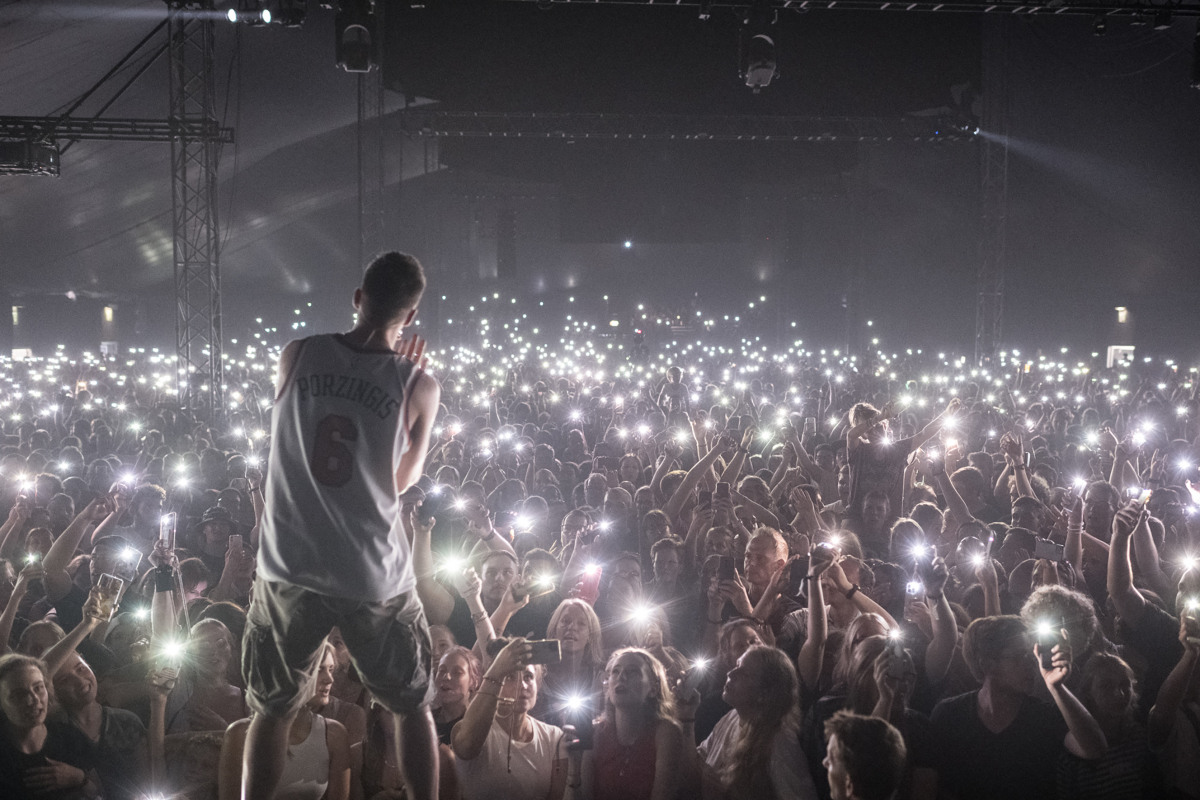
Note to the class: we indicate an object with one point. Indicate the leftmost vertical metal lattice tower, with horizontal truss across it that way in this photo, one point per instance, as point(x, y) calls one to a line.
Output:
point(199, 341)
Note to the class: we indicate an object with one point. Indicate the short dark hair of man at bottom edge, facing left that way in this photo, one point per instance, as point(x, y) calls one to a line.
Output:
point(872, 751)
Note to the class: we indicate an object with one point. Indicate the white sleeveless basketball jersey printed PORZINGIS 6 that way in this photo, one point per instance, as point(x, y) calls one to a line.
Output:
point(332, 521)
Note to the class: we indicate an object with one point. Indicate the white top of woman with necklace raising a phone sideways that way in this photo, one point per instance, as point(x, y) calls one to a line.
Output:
point(488, 777)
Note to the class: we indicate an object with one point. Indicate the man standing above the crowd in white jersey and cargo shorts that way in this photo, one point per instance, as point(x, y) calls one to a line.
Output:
point(350, 434)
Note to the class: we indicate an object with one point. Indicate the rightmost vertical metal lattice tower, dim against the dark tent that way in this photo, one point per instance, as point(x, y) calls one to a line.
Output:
point(994, 190)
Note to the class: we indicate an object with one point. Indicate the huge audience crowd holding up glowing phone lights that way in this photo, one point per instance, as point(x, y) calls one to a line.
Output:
point(677, 572)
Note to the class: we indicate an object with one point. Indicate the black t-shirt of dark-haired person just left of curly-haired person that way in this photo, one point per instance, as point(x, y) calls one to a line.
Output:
point(1018, 762)
